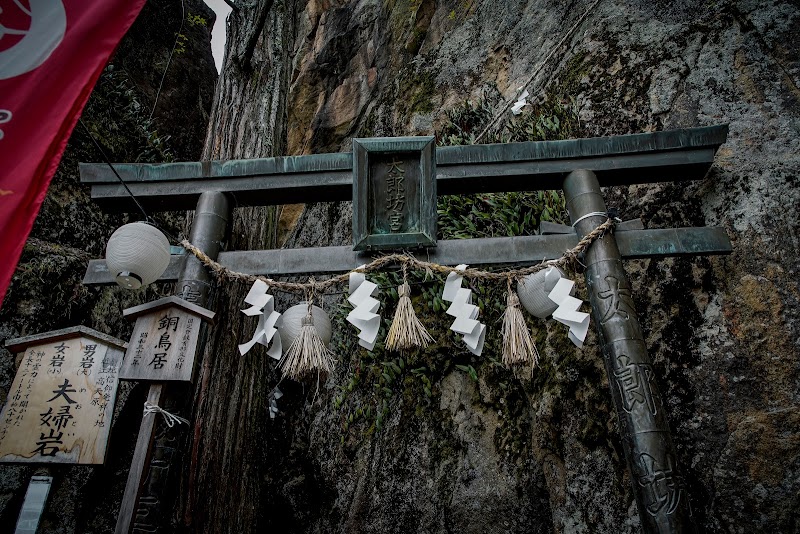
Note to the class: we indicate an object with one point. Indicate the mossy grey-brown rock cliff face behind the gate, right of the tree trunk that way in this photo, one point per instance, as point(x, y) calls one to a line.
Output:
point(497, 454)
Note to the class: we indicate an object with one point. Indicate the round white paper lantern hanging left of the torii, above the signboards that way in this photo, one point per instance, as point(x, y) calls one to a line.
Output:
point(137, 254)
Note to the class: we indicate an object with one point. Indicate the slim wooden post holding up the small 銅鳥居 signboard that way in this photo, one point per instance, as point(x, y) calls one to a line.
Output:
point(141, 458)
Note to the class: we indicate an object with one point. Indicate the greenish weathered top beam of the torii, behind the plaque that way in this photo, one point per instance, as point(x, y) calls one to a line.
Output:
point(620, 160)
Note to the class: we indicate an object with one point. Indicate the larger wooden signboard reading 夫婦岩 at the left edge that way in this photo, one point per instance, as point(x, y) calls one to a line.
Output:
point(61, 402)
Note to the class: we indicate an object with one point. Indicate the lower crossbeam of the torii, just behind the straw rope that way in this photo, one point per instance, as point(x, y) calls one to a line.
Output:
point(518, 251)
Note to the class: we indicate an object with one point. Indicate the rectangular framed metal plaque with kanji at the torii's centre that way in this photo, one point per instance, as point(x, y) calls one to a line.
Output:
point(394, 193)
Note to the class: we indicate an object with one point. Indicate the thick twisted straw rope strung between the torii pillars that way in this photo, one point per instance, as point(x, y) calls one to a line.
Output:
point(569, 257)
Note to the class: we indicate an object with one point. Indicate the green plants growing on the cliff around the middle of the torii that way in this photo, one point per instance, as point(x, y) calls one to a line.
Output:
point(378, 382)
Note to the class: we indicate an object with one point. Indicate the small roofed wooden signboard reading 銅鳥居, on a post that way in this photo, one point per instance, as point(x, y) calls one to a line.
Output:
point(164, 340)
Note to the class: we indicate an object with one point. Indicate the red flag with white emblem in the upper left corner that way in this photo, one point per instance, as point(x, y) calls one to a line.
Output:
point(51, 54)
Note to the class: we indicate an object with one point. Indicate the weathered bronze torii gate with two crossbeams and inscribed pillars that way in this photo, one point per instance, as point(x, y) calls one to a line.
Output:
point(578, 166)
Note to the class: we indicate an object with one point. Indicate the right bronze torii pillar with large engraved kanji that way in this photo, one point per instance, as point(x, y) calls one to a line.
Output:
point(658, 487)
